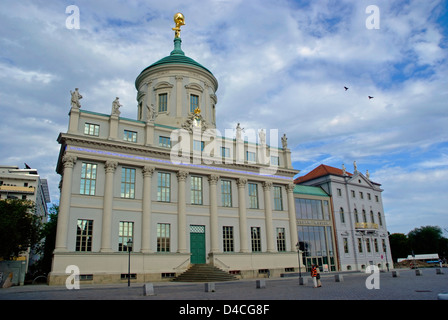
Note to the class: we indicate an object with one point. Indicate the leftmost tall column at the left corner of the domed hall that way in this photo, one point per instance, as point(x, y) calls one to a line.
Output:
point(64, 204)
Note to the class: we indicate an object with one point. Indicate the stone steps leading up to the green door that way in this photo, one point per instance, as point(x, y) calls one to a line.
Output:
point(204, 273)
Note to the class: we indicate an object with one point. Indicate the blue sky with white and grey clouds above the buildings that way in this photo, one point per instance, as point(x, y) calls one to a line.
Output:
point(280, 65)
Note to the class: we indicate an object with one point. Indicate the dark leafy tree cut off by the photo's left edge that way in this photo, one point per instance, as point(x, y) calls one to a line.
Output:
point(20, 228)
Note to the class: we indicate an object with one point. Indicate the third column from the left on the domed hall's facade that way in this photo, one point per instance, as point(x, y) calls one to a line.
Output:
point(146, 208)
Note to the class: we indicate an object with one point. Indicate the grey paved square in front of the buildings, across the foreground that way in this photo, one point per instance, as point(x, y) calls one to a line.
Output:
point(408, 286)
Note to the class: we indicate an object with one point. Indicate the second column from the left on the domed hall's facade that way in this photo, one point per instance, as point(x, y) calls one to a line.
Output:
point(110, 168)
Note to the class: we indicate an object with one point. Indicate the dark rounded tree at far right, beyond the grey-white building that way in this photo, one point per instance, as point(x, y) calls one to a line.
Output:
point(426, 239)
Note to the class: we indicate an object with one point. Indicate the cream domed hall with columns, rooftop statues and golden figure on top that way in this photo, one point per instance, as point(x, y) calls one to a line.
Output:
point(168, 188)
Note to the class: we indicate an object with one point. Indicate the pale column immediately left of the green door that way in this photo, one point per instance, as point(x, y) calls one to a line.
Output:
point(182, 215)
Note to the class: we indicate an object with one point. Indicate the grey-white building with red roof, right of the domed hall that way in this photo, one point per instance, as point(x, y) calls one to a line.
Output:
point(360, 225)
